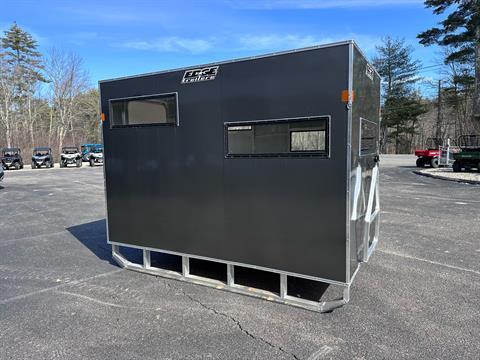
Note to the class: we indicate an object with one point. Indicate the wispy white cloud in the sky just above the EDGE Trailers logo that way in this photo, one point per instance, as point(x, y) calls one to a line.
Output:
point(171, 44)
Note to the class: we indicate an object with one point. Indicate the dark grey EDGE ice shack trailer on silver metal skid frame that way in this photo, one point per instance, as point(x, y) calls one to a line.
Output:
point(267, 163)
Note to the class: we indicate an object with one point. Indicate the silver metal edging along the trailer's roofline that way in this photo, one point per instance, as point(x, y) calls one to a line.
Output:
point(309, 48)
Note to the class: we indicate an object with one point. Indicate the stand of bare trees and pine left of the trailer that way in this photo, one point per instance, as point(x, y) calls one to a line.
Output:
point(45, 99)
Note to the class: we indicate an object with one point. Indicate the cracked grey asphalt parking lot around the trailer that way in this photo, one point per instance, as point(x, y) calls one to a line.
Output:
point(62, 297)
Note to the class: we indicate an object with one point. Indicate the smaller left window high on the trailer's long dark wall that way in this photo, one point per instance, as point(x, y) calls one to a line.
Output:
point(143, 111)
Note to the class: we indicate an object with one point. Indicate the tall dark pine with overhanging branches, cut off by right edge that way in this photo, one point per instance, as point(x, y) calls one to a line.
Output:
point(459, 30)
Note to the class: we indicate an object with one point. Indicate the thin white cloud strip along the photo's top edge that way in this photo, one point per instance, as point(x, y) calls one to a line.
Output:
point(318, 4)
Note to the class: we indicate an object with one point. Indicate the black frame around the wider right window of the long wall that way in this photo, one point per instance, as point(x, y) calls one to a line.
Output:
point(295, 154)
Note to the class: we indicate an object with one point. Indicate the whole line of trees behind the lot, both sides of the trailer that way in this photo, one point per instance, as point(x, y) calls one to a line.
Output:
point(47, 99)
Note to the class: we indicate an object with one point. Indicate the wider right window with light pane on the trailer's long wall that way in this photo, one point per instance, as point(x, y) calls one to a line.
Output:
point(289, 137)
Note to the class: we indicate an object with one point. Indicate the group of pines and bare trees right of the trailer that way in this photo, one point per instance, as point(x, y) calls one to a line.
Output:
point(408, 118)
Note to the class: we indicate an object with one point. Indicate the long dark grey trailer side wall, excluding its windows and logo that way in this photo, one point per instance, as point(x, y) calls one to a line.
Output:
point(173, 187)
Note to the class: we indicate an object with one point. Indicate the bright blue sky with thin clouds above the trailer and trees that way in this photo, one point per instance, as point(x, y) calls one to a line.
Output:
point(118, 38)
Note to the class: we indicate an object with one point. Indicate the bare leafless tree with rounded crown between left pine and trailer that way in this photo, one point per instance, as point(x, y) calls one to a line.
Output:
point(68, 81)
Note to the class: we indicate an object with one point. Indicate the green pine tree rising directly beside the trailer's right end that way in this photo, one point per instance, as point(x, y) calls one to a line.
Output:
point(402, 106)
